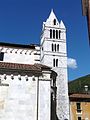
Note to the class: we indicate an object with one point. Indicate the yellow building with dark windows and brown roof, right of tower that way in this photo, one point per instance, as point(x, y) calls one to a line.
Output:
point(80, 106)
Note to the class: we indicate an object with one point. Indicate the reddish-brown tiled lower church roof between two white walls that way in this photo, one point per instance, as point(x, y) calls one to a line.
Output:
point(17, 66)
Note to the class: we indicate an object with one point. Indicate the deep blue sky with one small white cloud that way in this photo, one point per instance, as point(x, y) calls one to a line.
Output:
point(21, 23)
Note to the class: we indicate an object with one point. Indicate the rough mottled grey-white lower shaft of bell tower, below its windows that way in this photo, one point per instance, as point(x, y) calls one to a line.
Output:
point(62, 94)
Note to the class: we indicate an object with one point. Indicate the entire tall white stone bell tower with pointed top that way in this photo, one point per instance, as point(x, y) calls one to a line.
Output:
point(54, 54)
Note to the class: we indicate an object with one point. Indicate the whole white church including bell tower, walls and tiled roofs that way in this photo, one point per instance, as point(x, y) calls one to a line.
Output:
point(33, 78)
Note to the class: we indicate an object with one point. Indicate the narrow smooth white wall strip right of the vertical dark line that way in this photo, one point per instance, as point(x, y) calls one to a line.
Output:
point(44, 100)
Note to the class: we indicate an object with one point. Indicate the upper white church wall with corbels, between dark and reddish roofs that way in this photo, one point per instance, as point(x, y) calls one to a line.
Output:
point(21, 55)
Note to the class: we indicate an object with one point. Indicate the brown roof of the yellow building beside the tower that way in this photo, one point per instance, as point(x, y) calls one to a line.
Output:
point(81, 97)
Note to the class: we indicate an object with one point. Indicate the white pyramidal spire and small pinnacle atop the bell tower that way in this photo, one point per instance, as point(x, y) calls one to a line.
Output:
point(50, 21)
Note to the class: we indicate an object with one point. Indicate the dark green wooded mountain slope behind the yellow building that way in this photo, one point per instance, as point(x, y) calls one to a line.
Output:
point(77, 85)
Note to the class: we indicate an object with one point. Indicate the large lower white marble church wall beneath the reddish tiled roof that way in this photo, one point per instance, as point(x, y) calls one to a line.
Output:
point(25, 99)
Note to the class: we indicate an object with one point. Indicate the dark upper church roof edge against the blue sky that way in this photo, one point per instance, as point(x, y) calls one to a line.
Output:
point(31, 46)
